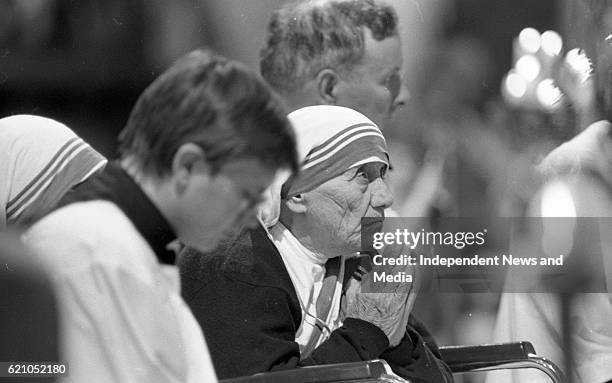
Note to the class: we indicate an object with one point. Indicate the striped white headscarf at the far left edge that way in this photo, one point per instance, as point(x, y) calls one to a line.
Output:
point(40, 160)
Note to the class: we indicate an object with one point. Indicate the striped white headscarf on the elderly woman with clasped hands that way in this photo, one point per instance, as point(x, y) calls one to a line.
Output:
point(330, 140)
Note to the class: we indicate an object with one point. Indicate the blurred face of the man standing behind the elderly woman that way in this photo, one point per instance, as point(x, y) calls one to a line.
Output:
point(375, 86)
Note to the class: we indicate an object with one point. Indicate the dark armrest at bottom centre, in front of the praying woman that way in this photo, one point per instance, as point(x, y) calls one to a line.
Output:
point(361, 372)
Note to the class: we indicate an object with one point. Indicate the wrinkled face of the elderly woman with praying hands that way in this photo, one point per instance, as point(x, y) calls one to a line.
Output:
point(334, 209)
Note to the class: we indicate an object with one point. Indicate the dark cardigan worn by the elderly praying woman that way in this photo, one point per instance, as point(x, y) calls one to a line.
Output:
point(243, 297)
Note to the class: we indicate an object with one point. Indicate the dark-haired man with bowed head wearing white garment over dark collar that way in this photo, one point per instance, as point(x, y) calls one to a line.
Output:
point(201, 144)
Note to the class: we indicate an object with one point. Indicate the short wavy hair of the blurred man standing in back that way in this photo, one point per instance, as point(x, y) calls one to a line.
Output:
point(304, 38)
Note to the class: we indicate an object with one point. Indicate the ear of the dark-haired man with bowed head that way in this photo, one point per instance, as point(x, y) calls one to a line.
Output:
point(188, 160)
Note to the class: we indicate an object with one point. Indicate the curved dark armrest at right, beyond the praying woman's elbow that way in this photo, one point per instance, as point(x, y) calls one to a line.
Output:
point(498, 356)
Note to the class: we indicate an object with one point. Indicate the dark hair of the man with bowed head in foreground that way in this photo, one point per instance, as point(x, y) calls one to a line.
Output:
point(215, 103)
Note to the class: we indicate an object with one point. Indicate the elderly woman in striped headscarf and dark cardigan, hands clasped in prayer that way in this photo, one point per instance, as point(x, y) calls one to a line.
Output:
point(286, 296)
